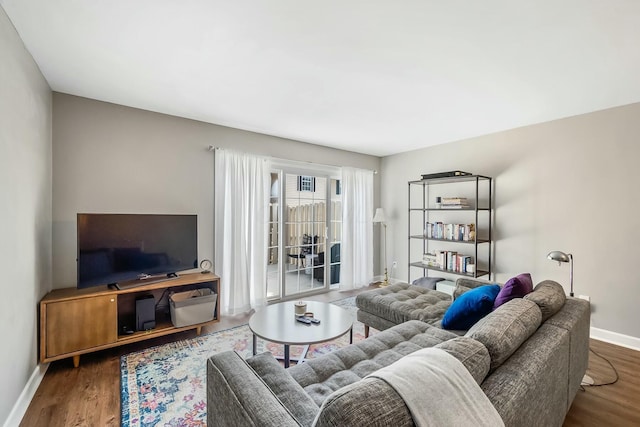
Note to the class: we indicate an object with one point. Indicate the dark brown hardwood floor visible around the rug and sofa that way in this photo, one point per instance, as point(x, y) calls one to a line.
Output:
point(90, 394)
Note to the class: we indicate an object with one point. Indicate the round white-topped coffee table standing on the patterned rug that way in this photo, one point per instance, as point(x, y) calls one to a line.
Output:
point(277, 323)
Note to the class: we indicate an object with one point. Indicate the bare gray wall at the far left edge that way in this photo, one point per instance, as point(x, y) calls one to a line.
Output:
point(25, 210)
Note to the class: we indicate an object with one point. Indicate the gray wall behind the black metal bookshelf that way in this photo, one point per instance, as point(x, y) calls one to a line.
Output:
point(569, 185)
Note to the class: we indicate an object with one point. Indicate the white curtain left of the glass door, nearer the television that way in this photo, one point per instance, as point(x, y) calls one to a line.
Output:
point(242, 188)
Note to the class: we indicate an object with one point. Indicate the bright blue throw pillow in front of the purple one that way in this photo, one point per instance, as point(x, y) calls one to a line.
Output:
point(470, 307)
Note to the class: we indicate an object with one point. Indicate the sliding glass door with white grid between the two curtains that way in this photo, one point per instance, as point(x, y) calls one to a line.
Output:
point(305, 230)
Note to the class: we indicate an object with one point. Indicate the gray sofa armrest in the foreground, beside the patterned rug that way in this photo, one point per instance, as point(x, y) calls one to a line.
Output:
point(237, 396)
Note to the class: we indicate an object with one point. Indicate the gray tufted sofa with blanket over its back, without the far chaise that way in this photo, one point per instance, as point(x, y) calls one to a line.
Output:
point(528, 357)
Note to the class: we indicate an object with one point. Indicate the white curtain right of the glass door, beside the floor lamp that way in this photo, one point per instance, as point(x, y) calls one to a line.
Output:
point(356, 254)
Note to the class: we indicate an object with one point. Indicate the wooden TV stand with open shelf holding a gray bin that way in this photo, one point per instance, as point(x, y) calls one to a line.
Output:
point(103, 311)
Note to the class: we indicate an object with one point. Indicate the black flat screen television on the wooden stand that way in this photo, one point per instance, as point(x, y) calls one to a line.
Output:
point(124, 250)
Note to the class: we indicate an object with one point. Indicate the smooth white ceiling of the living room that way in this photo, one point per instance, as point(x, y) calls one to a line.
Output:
point(371, 76)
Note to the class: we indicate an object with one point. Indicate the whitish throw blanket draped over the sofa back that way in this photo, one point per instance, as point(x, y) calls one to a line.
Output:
point(439, 391)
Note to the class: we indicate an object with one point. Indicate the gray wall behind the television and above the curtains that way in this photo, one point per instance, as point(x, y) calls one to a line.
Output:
point(111, 158)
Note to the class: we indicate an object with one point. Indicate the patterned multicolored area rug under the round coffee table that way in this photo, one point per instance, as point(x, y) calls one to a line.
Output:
point(166, 385)
